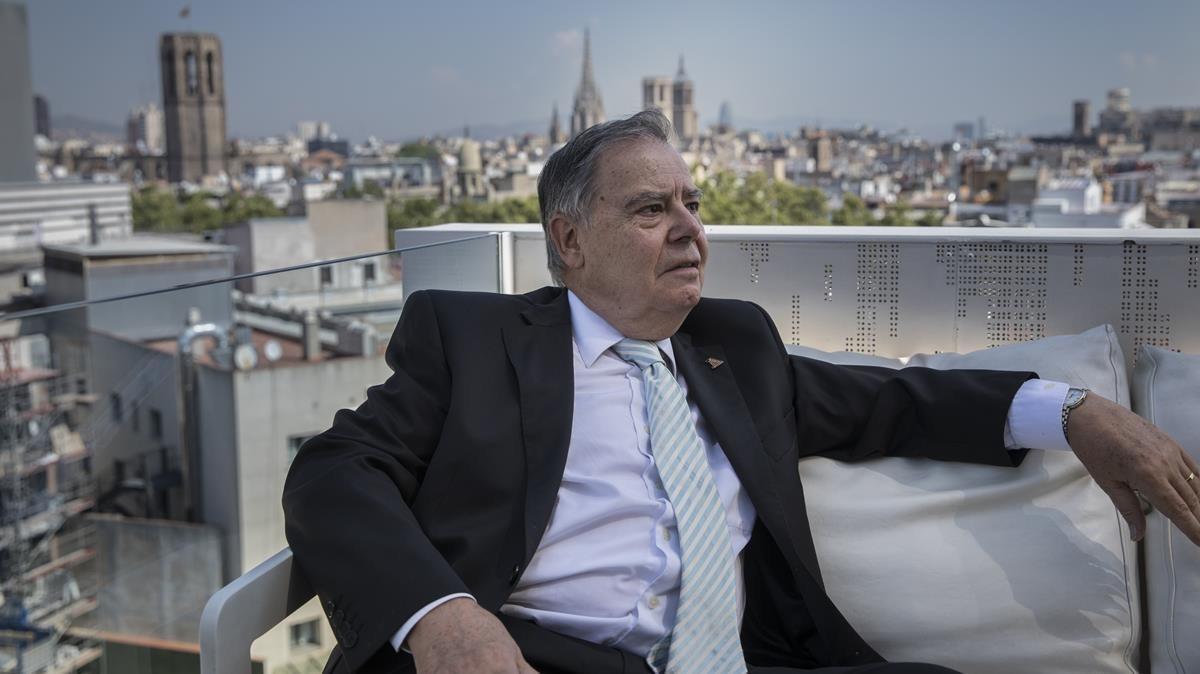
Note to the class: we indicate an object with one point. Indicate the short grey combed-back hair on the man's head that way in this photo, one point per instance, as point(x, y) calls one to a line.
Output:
point(568, 180)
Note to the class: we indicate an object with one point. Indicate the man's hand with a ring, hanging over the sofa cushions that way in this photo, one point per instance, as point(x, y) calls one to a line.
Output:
point(1125, 453)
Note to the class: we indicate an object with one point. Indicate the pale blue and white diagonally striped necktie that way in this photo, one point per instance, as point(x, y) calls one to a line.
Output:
point(705, 637)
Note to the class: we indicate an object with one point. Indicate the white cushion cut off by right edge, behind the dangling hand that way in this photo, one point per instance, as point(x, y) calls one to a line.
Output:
point(1167, 392)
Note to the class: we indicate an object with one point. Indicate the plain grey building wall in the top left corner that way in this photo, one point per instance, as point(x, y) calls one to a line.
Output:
point(17, 158)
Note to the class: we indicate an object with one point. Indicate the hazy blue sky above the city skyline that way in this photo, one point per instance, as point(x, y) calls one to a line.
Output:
point(401, 69)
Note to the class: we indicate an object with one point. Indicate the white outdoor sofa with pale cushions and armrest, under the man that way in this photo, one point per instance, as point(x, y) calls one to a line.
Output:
point(982, 569)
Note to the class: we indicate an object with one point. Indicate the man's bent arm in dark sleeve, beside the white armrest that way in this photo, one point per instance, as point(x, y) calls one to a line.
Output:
point(349, 492)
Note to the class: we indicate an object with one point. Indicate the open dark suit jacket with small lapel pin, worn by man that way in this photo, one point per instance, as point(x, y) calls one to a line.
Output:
point(443, 482)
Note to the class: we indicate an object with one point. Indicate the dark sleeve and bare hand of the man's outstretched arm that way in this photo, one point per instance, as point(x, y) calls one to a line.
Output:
point(961, 416)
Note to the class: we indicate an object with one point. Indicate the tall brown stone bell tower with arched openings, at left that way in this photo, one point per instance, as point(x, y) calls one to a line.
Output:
point(194, 105)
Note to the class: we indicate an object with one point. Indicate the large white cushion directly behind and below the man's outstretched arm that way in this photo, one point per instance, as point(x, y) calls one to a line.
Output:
point(985, 569)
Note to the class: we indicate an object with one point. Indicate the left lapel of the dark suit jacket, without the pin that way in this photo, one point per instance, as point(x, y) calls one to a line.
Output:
point(541, 353)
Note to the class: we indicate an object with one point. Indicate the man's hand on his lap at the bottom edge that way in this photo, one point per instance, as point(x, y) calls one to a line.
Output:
point(459, 636)
